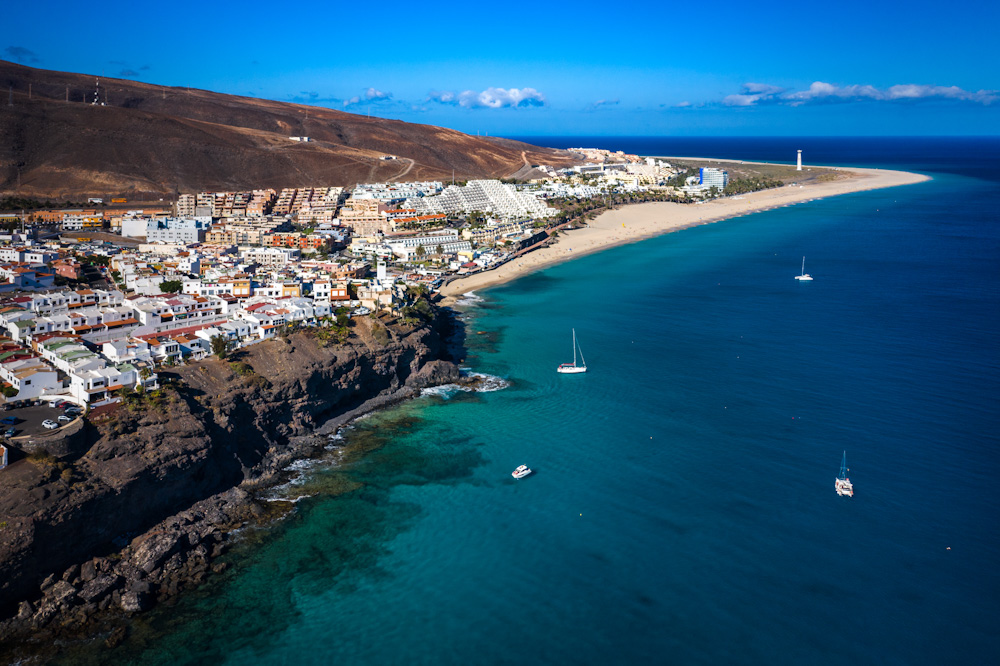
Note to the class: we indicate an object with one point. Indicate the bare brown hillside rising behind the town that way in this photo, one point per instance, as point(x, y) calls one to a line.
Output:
point(154, 140)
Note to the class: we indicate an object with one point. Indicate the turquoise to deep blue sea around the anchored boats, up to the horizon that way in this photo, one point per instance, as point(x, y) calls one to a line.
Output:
point(683, 508)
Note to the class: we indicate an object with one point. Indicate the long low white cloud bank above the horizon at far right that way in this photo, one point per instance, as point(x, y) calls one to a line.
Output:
point(821, 92)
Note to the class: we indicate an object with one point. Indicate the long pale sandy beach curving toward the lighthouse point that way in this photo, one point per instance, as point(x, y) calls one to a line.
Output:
point(639, 221)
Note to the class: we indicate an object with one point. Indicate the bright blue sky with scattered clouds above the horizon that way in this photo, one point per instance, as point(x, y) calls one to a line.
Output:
point(557, 68)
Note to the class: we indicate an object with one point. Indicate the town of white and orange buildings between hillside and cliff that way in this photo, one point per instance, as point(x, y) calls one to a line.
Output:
point(96, 300)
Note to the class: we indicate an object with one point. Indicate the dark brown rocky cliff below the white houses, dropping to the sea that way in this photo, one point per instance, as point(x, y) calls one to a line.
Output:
point(148, 496)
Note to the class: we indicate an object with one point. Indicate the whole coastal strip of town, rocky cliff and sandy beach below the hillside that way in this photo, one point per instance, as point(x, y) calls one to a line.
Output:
point(213, 341)
